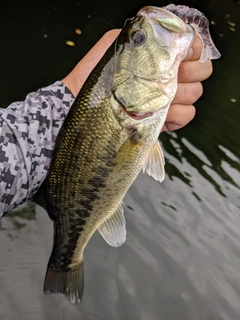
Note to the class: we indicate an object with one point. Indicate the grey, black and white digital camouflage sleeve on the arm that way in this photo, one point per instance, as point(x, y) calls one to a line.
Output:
point(28, 131)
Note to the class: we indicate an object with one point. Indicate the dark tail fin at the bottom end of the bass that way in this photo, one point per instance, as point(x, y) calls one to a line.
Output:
point(70, 283)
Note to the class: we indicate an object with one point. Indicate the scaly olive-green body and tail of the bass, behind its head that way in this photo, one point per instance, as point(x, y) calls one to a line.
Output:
point(89, 148)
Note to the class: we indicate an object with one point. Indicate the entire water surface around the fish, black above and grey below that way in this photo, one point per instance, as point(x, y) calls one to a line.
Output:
point(181, 259)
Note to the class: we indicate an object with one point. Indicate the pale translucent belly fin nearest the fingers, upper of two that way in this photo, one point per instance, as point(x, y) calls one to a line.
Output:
point(154, 165)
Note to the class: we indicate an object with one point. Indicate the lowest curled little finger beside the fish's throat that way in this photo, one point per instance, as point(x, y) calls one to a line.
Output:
point(178, 116)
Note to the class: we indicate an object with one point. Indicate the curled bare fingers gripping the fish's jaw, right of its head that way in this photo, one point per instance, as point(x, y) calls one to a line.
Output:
point(191, 73)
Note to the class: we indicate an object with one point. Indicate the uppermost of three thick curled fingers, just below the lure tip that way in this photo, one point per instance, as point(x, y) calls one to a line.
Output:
point(194, 71)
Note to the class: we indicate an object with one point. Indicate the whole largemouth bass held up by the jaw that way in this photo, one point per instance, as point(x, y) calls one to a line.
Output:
point(110, 134)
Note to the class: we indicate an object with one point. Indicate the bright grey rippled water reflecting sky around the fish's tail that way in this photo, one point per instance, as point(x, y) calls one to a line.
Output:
point(181, 259)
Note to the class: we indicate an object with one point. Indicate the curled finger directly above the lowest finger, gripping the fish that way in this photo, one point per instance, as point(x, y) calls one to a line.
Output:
point(188, 93)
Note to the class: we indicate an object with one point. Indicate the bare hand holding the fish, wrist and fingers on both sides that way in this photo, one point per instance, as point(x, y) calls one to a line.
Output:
point(191, 73)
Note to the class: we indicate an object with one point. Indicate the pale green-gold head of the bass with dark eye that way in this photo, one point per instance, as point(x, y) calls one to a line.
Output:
point(148, 53)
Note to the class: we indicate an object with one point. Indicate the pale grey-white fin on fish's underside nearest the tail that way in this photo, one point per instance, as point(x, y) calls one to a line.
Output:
point(113, 230)
